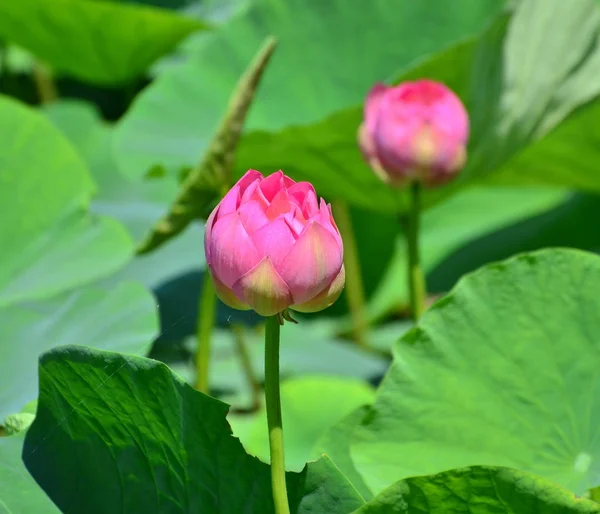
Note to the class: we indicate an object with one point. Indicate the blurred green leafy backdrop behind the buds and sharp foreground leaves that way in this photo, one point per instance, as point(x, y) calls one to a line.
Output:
point(104, 104)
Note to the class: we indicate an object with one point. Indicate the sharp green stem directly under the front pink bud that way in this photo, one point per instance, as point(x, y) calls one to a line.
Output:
point(273, 402)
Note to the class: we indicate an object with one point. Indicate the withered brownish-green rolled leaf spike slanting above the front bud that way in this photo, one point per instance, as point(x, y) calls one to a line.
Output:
point(206, 182)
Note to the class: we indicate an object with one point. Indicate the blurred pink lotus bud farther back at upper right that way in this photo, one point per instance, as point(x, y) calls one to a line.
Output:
point(414, 131)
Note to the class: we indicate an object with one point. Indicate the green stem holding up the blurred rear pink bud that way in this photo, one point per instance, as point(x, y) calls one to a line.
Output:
point(416, 279)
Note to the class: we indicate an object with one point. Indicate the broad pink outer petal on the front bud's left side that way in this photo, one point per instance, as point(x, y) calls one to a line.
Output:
point(232, 252)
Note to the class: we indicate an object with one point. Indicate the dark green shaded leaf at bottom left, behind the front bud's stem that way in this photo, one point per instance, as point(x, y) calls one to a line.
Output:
point(123, 434)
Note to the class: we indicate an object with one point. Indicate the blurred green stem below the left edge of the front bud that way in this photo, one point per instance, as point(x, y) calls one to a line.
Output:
point(206, 319)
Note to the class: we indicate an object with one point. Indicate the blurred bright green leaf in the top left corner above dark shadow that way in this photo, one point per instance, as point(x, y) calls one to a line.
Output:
point(97, 41)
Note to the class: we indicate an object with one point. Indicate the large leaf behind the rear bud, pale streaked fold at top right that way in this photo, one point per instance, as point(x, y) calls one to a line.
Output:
point(514, 98)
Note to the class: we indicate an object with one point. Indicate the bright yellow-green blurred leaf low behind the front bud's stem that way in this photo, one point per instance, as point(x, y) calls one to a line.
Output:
point(310, 406)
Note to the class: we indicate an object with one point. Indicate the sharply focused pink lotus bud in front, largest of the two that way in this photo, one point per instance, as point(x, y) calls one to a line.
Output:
point(270, 244)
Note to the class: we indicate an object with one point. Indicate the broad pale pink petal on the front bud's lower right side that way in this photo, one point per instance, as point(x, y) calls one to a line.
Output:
point(312, 263)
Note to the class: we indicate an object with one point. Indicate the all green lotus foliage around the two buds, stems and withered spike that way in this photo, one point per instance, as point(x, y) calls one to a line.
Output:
point(489, 405)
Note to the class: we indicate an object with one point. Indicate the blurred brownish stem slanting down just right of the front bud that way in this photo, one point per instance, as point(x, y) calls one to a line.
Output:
point(355, 292)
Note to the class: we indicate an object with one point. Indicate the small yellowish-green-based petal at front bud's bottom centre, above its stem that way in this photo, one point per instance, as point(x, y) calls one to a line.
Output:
point(263, 289)
